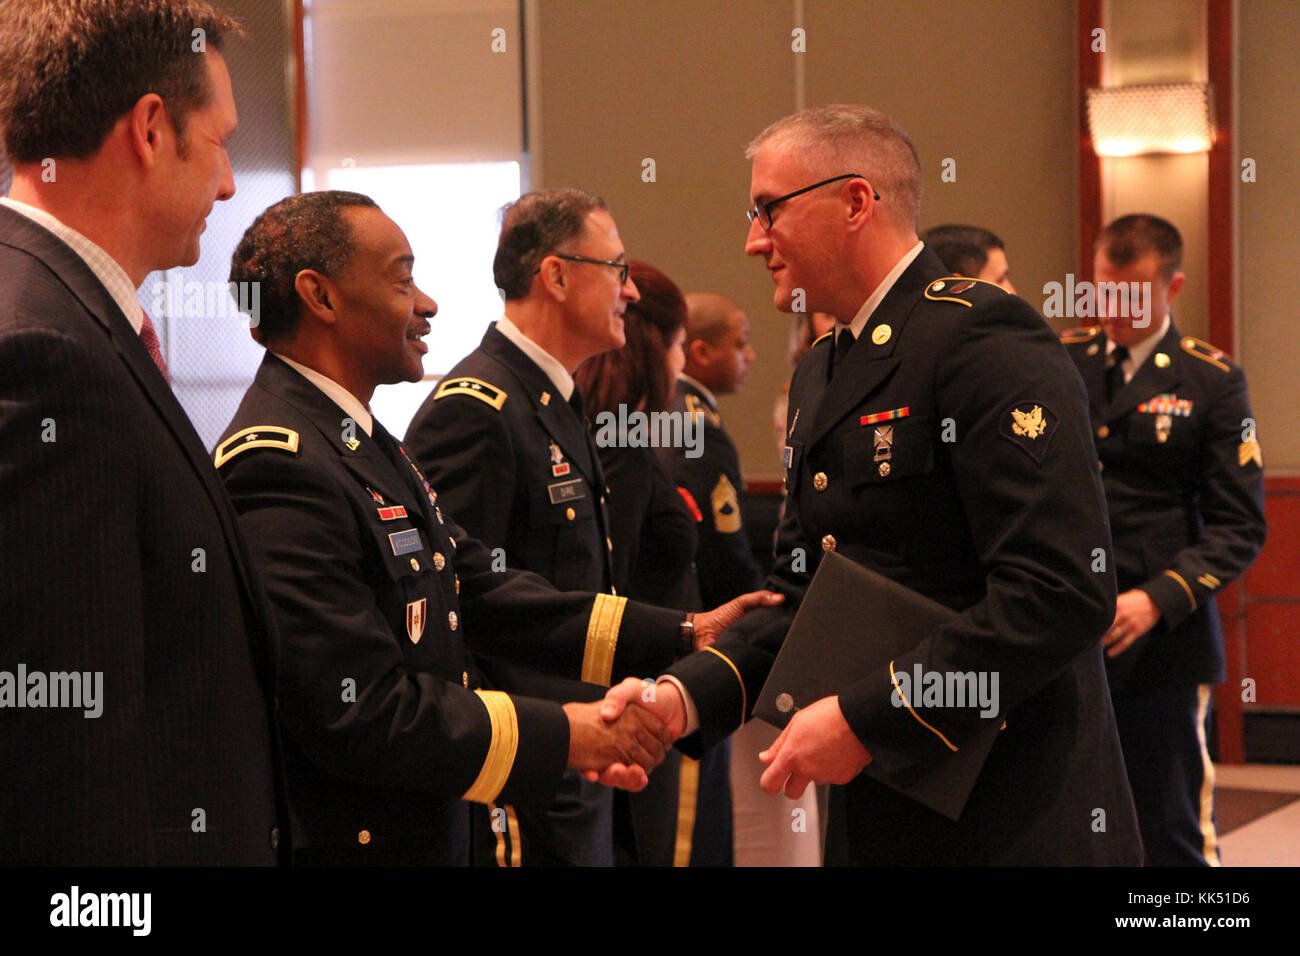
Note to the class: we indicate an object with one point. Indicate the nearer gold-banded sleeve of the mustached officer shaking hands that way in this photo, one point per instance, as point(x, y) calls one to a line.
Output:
point(346, 697)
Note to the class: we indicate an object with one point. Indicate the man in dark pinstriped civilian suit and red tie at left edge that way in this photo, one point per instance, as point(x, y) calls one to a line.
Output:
point(122, 553)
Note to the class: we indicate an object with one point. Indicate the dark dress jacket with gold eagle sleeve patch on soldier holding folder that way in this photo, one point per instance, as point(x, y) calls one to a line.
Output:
point(951, 453)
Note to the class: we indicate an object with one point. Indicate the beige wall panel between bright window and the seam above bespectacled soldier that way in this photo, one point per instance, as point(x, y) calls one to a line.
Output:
point(687, 85)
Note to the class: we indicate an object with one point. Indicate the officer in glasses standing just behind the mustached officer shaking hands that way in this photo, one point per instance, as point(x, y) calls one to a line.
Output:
point(505, 442)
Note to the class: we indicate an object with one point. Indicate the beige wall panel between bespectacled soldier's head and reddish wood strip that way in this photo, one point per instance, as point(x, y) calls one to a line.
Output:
point(990, 86)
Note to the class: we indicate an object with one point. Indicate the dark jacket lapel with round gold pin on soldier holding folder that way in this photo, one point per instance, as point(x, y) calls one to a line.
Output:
point(872, 360)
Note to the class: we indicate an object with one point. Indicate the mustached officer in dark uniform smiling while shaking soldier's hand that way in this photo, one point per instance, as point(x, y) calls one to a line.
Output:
point(380, 596)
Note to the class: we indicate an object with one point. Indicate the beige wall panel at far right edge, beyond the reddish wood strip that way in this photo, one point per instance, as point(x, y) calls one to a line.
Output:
point(1268, 132)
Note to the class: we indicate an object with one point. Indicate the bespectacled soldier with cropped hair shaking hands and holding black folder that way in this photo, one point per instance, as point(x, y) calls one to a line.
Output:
point(941, 439)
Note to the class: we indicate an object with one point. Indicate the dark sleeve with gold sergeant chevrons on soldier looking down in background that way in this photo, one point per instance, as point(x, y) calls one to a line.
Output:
point(1230, 491)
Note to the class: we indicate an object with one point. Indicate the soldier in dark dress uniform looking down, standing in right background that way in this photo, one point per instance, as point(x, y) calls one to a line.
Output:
point(1185, 485)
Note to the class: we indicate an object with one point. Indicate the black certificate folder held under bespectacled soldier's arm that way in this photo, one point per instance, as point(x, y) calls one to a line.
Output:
point(853, 622)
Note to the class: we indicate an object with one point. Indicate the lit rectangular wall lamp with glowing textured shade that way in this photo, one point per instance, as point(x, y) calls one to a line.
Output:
point(1156, 118)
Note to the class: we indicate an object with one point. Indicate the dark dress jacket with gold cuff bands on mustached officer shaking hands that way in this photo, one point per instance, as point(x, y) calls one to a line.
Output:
point(380, 599)
